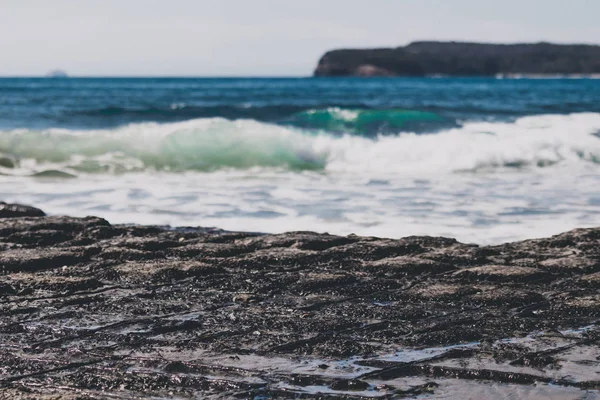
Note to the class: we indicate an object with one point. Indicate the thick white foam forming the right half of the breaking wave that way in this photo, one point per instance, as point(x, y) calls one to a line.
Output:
point(528, 142)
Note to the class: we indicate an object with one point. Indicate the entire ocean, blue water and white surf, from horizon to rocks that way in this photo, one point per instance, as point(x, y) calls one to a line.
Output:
point(482, 160)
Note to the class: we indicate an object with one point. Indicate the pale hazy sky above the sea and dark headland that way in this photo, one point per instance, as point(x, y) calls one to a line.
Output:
point(259, 37)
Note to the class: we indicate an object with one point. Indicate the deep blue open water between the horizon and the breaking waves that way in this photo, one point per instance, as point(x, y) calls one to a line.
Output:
point(108, 102)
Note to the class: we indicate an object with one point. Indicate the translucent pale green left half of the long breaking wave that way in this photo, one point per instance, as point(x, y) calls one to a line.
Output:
point(200, 145)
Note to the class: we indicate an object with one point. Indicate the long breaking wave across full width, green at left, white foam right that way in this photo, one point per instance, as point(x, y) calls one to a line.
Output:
point(215, 143)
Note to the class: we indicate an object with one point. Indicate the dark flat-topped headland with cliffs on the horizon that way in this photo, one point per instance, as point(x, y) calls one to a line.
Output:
point(462, 59)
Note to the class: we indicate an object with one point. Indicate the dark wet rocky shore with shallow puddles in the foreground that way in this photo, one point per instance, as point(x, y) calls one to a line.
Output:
point(91, 310)
